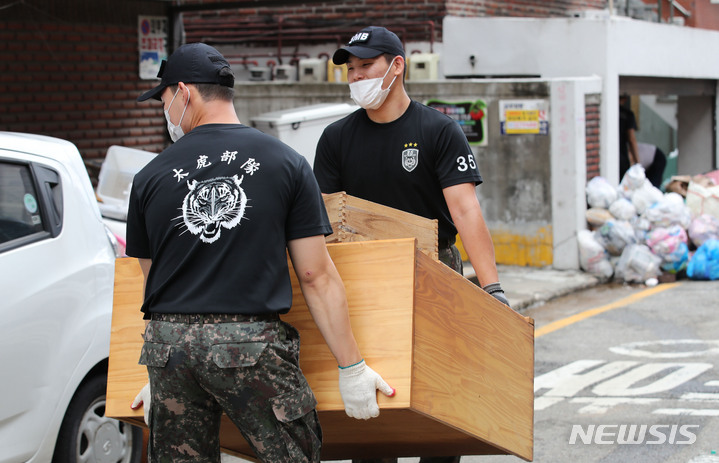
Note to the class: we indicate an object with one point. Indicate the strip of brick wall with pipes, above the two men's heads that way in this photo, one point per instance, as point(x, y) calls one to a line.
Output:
point(320, 22)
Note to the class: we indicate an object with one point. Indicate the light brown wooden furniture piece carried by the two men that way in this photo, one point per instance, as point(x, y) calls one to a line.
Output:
point(462, 363)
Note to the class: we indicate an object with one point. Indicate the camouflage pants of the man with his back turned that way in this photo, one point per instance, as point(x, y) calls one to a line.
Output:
point(247, 367)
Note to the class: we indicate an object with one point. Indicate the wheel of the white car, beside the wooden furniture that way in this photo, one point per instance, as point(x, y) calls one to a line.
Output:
point(87, 435)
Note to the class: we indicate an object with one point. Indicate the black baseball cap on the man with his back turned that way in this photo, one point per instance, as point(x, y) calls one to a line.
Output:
point(192, 63)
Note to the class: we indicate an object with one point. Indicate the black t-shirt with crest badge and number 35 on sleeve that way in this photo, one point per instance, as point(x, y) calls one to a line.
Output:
point(403, 164)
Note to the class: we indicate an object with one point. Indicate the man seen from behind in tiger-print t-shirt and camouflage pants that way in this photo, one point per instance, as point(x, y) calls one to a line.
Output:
point(211, 219)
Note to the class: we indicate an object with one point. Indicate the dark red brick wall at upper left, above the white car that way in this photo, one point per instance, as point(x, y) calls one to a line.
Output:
point(69, 69)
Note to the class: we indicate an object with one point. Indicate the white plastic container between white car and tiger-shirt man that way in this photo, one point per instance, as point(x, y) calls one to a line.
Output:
point(115, 179)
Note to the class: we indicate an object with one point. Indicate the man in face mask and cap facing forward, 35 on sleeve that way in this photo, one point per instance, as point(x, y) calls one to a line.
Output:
point(400, 153)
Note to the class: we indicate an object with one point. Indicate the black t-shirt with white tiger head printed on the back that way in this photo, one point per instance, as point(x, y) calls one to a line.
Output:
point(214, 212)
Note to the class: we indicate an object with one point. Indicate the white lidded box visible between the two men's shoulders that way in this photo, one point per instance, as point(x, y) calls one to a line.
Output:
point(302, 127)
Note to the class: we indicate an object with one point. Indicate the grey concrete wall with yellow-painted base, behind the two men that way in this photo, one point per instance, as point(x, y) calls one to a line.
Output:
point(533, 191)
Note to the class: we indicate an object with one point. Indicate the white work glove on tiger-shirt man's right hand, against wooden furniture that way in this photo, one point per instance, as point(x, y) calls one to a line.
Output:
point(358, 387)
